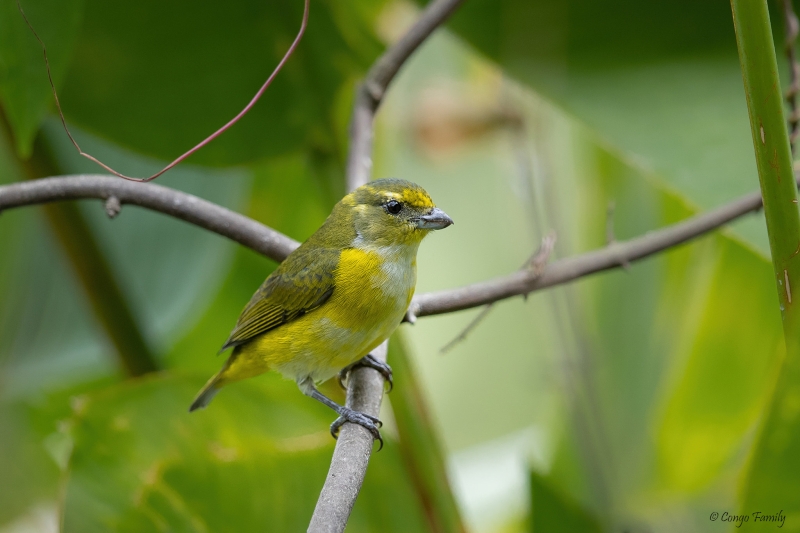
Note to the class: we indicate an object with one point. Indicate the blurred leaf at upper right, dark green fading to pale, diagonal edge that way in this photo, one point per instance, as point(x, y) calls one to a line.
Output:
point(659, 81)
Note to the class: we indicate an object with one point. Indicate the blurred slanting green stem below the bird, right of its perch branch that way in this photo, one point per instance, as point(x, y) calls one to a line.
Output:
point(419, 446)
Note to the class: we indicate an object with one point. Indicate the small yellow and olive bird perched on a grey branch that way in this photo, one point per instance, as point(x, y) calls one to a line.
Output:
point(336, 297)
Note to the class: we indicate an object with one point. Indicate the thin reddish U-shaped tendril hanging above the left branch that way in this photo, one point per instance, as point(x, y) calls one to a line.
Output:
point(200, 145)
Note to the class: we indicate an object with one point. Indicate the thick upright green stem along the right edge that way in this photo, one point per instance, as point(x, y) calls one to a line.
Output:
point(773, 480)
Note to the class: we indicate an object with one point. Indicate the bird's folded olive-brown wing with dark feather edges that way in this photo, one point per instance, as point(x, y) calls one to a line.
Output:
point(300, 284)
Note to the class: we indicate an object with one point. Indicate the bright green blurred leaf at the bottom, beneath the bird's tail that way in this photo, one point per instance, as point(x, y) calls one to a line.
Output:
point(254, 460)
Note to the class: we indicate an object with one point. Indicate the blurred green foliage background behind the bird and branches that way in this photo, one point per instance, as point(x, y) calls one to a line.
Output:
point(628, 401)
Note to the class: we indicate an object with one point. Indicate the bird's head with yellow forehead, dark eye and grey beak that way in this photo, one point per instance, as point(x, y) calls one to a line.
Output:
point(391, 211)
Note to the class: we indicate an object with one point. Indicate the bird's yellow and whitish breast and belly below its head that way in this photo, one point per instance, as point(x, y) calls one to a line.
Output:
point(372, 292)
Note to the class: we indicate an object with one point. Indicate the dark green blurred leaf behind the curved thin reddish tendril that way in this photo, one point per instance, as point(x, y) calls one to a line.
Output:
point(161, 83)
